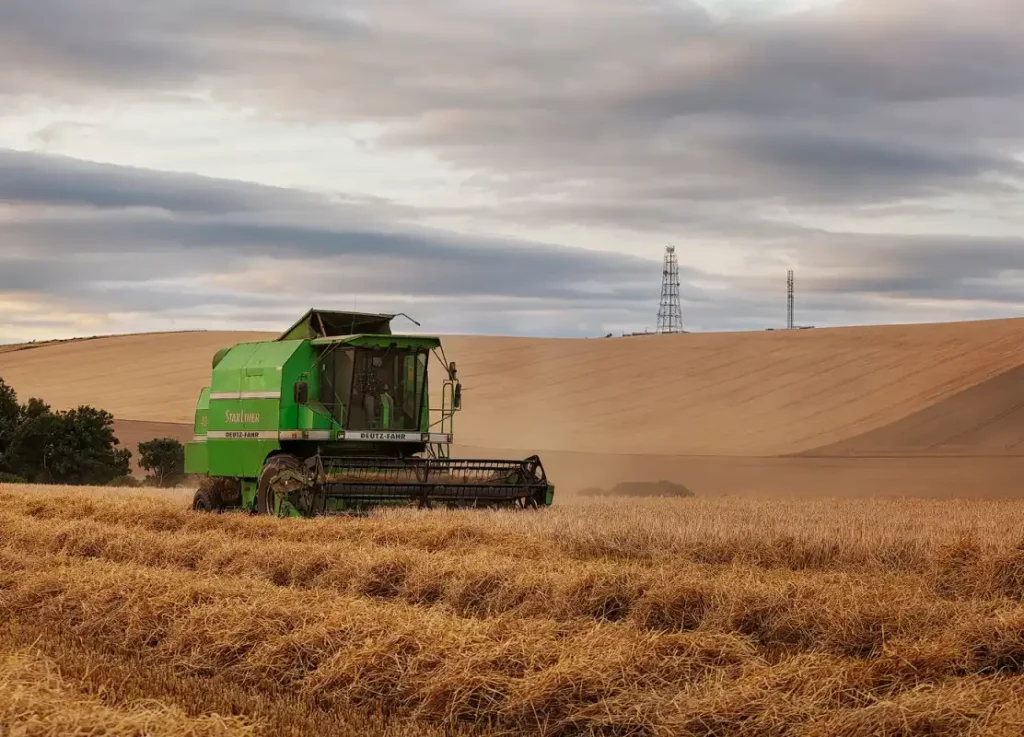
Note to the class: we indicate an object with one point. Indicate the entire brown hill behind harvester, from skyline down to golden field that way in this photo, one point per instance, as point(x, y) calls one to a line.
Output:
point(933, 411)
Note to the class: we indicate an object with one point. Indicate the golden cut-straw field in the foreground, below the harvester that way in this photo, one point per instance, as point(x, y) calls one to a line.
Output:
point(126, 614)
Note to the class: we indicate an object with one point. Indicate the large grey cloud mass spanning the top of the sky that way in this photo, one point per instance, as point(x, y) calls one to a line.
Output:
point(836, 107)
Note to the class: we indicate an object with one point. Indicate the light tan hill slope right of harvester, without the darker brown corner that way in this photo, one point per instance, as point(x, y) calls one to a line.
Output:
point(722, 395)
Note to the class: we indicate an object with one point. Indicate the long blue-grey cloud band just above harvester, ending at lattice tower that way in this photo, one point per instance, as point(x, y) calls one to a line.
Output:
point(399, 262)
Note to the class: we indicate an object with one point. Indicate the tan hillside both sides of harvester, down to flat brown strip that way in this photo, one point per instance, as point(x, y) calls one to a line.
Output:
point(703, 395)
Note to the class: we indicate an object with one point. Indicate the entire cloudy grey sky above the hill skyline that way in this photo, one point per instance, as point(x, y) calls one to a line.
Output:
point(508, 166)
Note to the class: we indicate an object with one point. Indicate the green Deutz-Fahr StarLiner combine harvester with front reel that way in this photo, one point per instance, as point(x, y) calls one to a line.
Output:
point(334, 417)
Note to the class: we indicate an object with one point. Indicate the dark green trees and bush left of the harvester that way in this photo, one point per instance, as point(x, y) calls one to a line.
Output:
point(39, 445)
